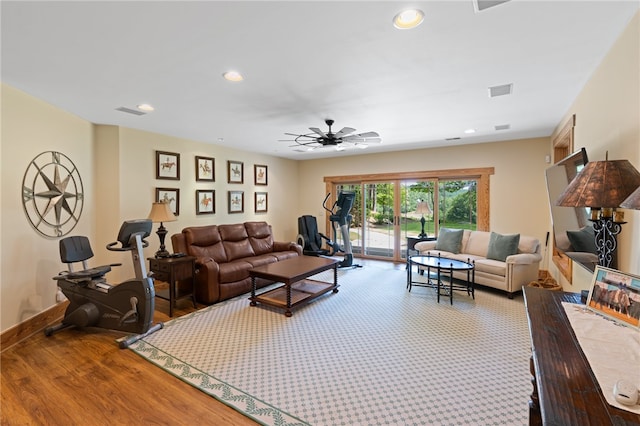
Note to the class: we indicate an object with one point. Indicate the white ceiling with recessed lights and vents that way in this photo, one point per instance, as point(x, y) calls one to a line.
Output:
point(306, 61)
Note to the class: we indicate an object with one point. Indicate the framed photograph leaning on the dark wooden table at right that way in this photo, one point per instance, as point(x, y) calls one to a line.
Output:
point(615, 295)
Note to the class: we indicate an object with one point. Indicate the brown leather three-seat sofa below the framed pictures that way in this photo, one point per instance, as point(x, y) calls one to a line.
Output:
point(225, 254)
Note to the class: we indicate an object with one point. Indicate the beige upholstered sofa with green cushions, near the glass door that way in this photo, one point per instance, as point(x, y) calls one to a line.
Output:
point(509, 275)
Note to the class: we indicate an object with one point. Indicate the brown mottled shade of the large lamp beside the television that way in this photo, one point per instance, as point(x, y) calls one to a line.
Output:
point(601, 184)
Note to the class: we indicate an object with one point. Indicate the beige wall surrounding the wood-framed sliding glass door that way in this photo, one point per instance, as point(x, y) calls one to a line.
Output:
point(518, 192)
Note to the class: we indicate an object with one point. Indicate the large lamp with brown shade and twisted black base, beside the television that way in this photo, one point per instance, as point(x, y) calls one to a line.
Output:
point(603, 186)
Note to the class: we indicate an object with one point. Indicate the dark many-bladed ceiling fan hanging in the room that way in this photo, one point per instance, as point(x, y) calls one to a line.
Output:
point(320, 139)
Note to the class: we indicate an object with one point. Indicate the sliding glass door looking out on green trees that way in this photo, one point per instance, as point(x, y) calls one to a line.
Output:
point(387, 213)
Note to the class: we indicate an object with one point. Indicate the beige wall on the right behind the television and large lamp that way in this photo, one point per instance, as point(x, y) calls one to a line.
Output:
point(608, 120)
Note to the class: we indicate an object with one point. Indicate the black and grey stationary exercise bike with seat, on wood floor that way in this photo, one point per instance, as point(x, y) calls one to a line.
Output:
point(93, 302)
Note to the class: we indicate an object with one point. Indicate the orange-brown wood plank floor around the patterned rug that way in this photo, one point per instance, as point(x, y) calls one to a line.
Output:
point(80, 378)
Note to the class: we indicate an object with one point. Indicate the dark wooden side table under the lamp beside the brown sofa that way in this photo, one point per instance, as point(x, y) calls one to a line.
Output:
point(171, 270)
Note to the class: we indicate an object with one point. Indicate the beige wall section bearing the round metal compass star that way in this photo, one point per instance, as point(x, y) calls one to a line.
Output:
point(29, 127)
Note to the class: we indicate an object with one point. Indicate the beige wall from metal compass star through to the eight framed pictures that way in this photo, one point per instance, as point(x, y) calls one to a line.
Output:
point(117, 166)
